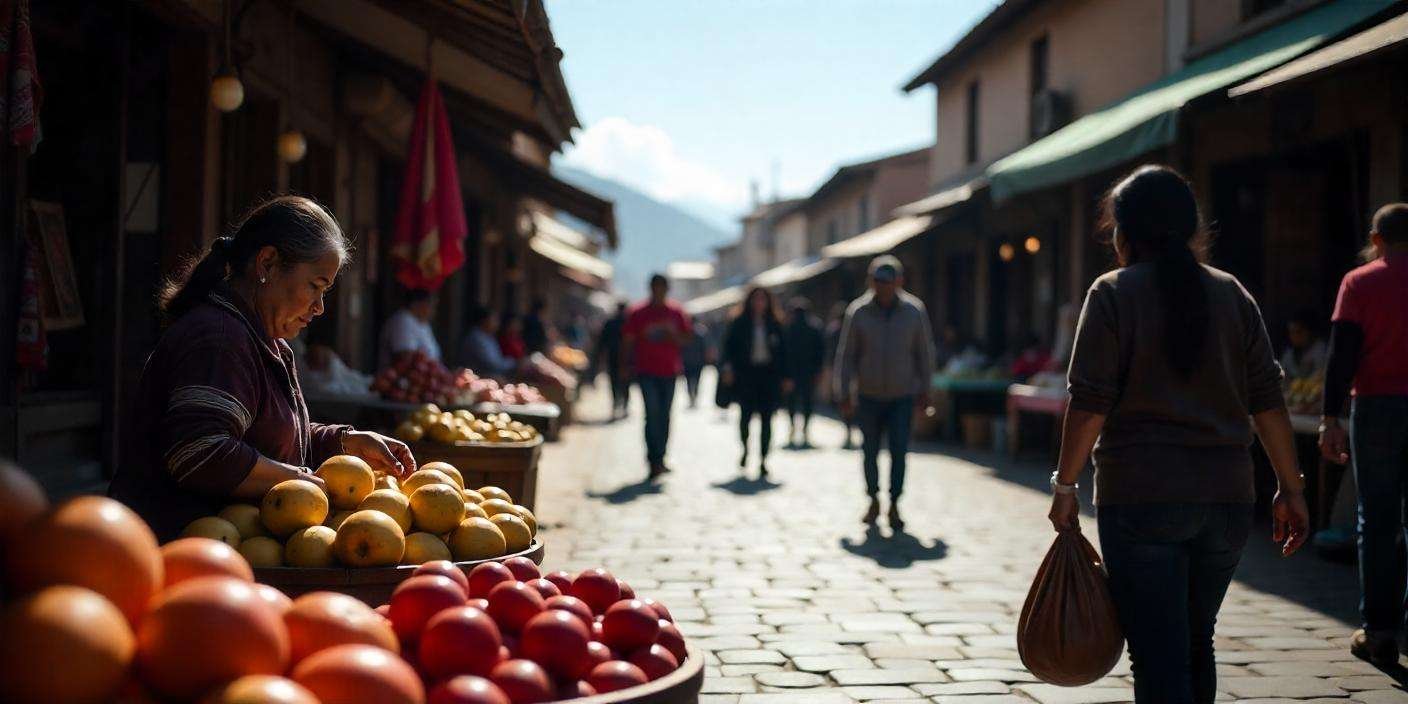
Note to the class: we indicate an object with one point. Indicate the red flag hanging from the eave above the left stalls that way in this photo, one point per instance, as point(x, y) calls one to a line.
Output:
point(430, 226)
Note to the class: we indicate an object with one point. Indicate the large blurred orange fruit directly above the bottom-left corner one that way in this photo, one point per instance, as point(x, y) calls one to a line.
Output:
point(89, 541)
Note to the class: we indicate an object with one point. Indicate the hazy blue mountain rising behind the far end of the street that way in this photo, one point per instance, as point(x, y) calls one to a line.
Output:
point(653, 234)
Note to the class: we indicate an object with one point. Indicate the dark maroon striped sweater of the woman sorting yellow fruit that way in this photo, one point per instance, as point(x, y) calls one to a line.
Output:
point(216, 394)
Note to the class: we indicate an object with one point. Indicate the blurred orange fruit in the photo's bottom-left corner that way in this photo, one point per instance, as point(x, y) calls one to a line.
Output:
point(64, 644)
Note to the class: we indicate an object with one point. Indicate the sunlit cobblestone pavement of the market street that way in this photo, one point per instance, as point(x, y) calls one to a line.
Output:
point(795, 602)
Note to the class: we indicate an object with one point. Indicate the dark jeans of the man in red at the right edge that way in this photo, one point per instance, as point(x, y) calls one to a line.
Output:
point(1379, 447)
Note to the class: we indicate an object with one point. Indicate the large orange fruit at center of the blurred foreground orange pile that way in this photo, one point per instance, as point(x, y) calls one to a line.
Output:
point(209, 631)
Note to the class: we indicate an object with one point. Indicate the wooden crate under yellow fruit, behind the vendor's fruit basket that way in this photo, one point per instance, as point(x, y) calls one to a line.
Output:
point(512, 467)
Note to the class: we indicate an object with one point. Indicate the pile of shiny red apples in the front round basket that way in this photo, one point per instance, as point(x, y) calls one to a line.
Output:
point(508, 634)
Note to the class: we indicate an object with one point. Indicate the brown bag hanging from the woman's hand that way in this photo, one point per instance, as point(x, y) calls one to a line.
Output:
point(1069, 634)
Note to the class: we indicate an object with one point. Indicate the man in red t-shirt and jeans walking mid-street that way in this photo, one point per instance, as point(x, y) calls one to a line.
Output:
point(653, 337)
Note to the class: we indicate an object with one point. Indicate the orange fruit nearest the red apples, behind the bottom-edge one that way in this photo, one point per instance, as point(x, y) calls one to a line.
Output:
point(322, 620)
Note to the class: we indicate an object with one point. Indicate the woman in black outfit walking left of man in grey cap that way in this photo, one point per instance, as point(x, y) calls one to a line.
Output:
point(754, 357)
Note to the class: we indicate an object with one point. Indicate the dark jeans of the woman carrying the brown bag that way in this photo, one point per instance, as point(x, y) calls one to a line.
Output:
point(1169, 570)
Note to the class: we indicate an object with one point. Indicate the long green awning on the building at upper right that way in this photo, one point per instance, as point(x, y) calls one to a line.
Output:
point(1148, 119)
